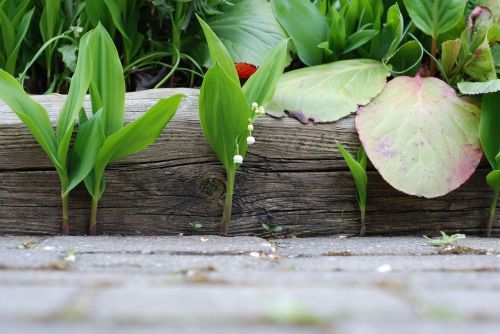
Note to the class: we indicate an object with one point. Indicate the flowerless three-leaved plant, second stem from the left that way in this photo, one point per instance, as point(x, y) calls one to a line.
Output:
point(102, 138)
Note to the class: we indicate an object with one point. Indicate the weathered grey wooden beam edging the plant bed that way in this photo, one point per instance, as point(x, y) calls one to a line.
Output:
point(293, 176)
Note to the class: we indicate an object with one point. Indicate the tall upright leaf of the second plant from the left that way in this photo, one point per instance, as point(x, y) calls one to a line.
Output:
point(108, 78)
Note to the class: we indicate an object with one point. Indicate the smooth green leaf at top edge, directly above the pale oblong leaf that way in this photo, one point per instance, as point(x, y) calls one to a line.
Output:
point(305, 24)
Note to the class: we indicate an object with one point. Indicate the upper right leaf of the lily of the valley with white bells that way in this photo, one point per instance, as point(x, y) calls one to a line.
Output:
point(261, 86)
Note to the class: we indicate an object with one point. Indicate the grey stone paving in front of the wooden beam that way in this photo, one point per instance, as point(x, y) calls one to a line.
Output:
point(248, 285)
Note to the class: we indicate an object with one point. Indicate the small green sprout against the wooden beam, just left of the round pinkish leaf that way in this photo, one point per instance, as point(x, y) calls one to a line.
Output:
point(357, 166)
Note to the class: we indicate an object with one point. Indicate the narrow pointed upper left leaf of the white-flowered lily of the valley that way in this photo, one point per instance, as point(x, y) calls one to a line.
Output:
point(218, 52)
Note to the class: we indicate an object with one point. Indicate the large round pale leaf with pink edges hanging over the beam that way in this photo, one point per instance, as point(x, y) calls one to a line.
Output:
point(421, 137)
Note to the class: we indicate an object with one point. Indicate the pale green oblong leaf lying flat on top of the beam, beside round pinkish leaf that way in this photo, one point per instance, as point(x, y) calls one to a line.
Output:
point(326, 93)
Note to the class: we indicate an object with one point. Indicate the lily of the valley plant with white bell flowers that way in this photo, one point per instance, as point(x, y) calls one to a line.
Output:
point(228, 110)
